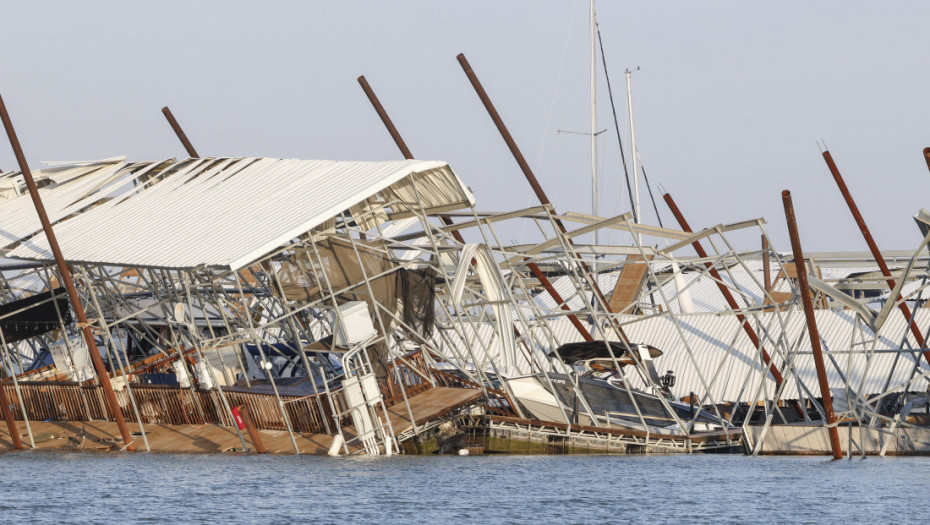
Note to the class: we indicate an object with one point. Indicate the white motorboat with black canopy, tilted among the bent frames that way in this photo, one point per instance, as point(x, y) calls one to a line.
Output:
point(595, 394)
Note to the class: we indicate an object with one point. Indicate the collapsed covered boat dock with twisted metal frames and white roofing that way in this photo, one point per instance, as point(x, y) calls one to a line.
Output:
point(370, 307)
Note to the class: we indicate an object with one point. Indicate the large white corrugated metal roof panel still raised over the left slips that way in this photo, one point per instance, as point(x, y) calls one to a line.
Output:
point(229, 212)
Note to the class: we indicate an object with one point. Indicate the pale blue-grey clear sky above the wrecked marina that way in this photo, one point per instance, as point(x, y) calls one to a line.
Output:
point(730, 99)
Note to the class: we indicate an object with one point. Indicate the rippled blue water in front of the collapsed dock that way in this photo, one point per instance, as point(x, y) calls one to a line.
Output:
point(53, 487)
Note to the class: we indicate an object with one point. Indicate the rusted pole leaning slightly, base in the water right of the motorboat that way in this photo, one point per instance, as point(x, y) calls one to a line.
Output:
point(812, 325)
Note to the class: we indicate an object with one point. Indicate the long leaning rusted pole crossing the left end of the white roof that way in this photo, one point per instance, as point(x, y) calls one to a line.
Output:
point(65, 274)
